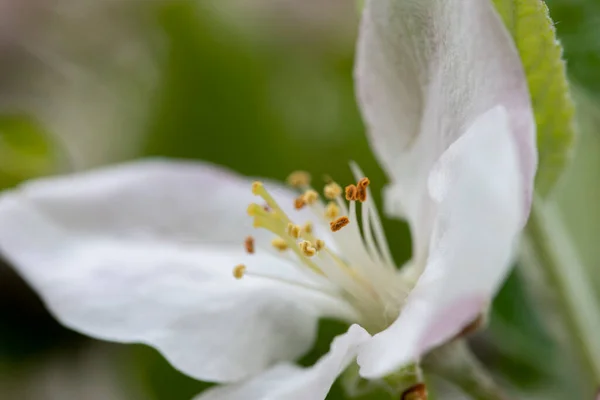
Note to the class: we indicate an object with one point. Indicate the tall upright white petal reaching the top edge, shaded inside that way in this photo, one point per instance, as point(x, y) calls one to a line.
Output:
point(425, 70)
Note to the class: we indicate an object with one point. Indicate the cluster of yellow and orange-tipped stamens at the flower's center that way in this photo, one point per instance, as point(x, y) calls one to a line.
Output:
point(355, 262)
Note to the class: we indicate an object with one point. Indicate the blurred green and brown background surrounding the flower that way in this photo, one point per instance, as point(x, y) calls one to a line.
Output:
point(263, 87)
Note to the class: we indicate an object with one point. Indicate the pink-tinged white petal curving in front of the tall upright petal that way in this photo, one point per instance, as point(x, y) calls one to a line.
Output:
point(475, 185)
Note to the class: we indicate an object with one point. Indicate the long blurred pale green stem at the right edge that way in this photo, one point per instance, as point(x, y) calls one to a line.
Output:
point(552, 247)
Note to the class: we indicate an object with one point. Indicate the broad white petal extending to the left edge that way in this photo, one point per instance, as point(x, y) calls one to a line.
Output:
point(144, 253)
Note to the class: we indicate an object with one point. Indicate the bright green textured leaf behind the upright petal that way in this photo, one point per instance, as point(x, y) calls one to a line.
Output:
point(533, 31)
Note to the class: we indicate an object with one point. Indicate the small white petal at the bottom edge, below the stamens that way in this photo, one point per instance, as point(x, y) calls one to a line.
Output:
point(294, 383)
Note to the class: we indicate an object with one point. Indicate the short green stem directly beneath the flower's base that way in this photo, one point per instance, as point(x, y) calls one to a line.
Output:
point(455, 363)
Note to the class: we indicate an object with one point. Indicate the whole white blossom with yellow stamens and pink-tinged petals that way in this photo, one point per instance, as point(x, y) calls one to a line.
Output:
point(143, 252)
